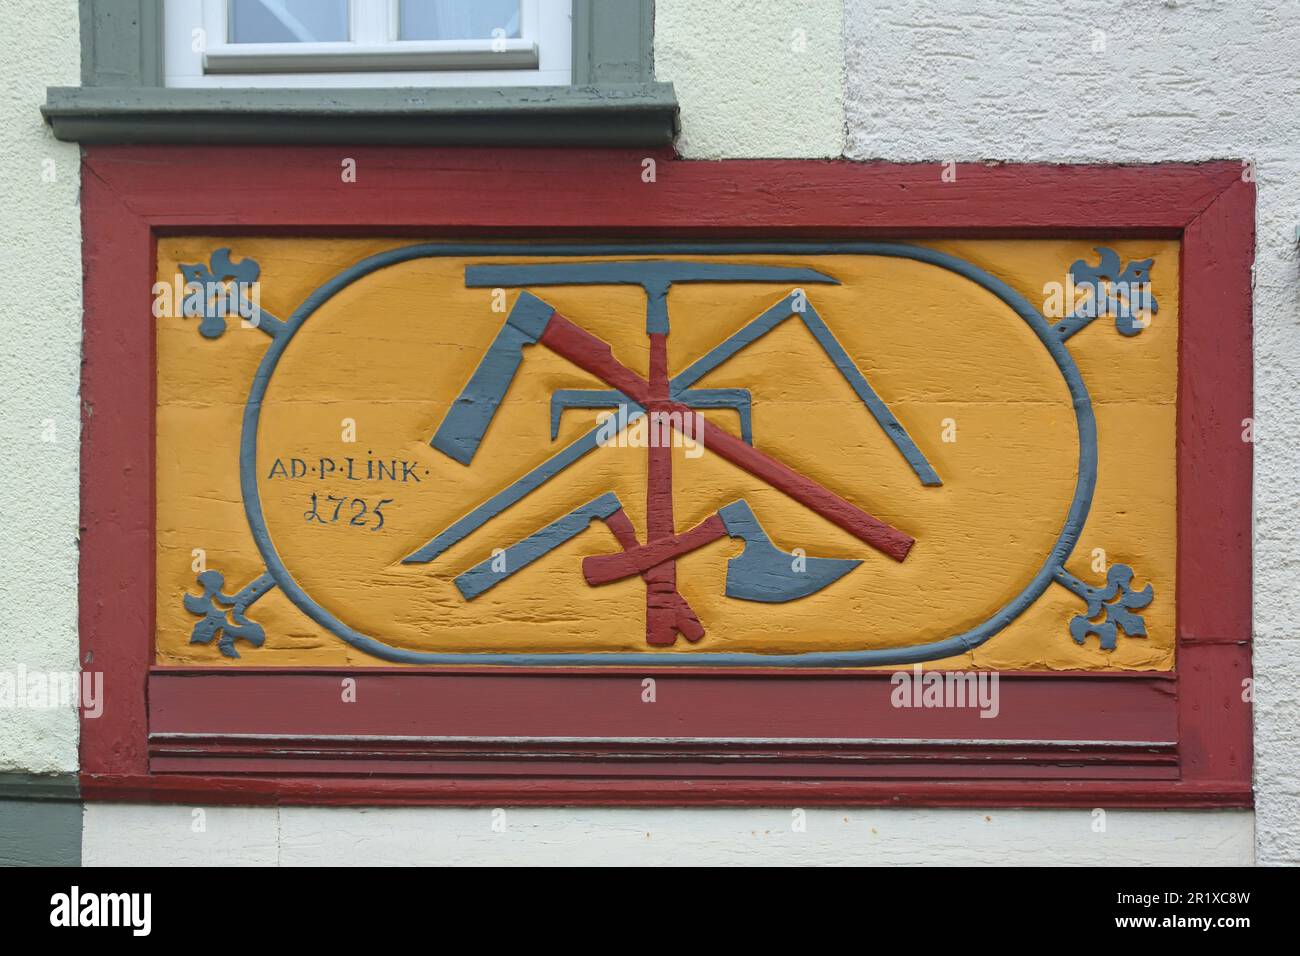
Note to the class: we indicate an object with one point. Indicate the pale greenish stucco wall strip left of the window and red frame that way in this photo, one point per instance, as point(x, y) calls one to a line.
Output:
point(41, 367)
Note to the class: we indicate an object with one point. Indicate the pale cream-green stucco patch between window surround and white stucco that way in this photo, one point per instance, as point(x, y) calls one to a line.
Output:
point(755, 79)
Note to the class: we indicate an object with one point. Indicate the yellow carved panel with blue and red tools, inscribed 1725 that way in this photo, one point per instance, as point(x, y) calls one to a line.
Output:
point(735, 455)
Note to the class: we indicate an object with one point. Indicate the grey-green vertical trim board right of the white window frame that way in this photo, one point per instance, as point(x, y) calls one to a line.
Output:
point(613, 42)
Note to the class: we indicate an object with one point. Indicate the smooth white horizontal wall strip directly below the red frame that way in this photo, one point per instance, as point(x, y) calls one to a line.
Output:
point(301, 837)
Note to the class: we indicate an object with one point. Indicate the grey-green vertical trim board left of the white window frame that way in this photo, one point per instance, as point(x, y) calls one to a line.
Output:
point(122, 42)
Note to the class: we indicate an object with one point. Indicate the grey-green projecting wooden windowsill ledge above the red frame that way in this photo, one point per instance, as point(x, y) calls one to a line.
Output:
point(644, 115)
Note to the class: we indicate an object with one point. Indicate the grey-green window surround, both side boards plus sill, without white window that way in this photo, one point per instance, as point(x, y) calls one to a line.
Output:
point(613, 102)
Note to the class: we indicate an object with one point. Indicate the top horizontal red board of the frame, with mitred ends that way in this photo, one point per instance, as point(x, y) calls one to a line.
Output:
point(556, 192)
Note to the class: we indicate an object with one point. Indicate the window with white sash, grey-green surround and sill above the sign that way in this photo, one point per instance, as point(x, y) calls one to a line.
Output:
point(483, 73)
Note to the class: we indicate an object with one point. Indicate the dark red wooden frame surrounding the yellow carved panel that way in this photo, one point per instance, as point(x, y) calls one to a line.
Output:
point(583, 736)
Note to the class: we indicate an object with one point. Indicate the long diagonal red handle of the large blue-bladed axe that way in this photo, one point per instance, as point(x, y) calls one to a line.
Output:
point(592, 354)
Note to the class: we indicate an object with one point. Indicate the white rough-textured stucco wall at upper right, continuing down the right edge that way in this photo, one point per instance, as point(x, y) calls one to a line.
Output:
point(1178, 80)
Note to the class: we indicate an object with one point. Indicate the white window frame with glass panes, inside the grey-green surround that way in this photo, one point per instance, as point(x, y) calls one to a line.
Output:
point(367, 44)
